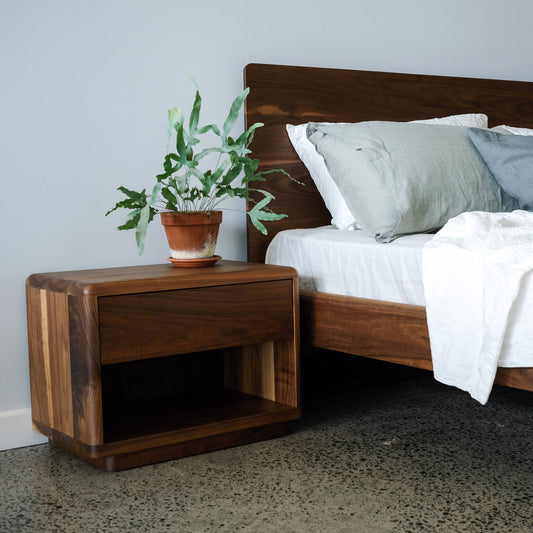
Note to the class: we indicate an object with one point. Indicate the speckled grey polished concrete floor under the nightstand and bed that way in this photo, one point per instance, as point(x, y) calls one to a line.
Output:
point(408, 456)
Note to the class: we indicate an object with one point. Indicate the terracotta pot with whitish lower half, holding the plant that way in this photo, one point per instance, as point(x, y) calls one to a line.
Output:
point(191, 236)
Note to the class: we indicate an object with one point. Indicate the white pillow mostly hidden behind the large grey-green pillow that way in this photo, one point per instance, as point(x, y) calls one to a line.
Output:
point(342, 217)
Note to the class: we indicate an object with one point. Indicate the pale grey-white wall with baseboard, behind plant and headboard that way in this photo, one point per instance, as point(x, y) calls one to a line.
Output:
point(85, 87)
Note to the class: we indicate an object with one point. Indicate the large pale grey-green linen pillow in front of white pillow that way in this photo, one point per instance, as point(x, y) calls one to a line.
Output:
point(399, 178)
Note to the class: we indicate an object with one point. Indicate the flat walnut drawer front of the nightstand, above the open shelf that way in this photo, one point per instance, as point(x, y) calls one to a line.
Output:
point(138, 326)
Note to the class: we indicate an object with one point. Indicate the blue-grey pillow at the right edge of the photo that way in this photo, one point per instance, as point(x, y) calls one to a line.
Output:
point(510, 159)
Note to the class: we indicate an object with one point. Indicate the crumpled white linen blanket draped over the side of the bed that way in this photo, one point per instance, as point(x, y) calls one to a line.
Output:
point(473, 271)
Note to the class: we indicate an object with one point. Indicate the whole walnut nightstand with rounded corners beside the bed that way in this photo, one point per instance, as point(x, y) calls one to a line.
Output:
point(136, 365)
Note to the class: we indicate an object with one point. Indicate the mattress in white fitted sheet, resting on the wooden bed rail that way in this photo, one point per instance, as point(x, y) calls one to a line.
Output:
point(352, 263)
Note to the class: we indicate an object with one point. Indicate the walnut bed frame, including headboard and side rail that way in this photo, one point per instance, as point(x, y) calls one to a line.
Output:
point(286, 94)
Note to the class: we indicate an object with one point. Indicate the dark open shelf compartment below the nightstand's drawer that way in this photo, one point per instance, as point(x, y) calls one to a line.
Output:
point(190, 396)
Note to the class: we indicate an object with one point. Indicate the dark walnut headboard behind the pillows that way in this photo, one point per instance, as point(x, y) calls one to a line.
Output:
point(282, 95)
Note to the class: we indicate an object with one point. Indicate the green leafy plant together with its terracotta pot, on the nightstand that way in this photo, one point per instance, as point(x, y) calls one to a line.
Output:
point(189, 190)
